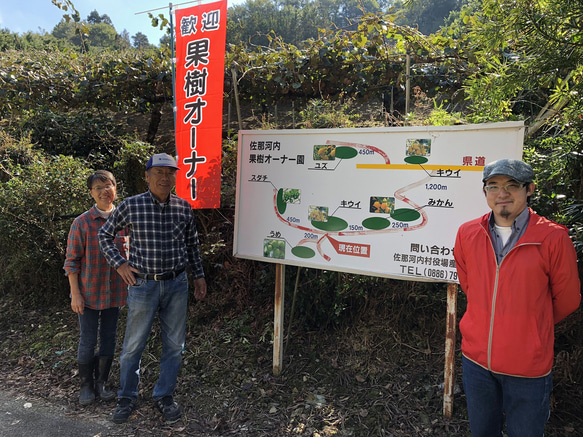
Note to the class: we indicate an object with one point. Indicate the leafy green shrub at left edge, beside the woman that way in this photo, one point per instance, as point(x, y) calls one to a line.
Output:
point(39, 196)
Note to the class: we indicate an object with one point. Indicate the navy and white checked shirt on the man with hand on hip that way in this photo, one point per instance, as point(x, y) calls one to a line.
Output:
point(163, 236)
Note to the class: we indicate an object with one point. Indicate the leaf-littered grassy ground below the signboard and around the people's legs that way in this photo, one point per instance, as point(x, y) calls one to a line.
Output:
point(374, 371)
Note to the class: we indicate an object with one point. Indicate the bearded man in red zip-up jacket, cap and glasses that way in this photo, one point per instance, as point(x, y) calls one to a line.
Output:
point(519, 273)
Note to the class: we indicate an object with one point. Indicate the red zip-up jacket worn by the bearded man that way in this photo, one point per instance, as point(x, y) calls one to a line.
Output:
point(508, 326)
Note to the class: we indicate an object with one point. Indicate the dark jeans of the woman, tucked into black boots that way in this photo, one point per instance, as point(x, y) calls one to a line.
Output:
point(92, 322)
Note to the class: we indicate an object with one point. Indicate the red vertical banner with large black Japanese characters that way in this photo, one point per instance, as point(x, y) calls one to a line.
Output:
point(198, 91)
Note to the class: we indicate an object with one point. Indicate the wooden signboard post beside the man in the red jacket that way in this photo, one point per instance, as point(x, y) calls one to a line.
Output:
point(448, 381)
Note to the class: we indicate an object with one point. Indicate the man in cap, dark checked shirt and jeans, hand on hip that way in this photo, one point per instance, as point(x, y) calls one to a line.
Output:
point(163, 242)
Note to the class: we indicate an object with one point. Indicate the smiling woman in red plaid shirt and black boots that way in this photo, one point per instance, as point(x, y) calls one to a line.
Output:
point(97, 290)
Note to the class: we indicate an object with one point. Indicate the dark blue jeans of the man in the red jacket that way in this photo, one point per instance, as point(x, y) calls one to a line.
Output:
point(526, 402)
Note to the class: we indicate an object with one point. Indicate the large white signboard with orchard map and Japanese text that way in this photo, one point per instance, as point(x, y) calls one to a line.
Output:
point(376, 201)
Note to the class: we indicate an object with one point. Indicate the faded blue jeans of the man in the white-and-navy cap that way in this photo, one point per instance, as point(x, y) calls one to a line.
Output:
point(146, 298)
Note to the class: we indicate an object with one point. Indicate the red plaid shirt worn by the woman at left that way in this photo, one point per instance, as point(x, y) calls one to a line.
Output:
point(100, 285)
